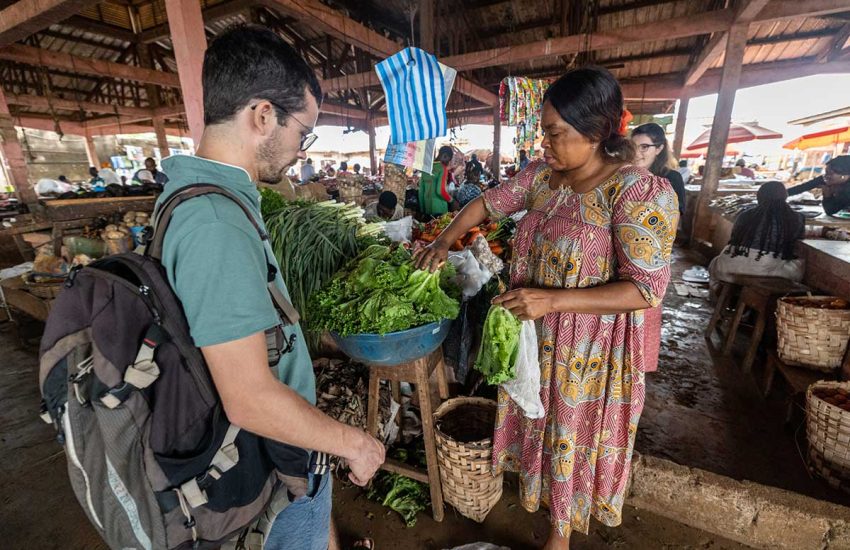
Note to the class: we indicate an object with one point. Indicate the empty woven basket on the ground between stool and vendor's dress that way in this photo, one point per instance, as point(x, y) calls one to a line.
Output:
point(464, 430)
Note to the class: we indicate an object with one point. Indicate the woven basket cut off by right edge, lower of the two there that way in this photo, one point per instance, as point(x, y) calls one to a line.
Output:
point(828, 426)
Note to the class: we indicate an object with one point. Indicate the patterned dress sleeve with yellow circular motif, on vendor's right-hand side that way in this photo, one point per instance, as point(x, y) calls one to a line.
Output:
point(644, 220)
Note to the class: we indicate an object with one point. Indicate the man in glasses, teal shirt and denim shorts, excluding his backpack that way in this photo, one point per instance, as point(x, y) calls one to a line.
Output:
point(261, 101)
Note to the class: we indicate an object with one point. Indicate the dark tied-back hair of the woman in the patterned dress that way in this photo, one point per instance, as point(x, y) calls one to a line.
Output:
point(591, 101)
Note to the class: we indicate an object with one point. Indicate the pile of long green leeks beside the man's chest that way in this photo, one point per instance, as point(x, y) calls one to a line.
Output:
point(312, 240)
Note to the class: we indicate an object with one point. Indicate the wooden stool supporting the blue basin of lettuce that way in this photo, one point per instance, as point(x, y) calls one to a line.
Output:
point(417, 373)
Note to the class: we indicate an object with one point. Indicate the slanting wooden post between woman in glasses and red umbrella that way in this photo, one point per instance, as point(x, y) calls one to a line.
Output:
point(729, 81)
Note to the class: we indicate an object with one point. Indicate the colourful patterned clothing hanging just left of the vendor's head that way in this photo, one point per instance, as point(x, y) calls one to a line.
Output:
point(520, 104)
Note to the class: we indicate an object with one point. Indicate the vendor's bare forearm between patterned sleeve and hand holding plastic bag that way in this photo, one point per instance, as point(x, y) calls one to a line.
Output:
point(608, 299)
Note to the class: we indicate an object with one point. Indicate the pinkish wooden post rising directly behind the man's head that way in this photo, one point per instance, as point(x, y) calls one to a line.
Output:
point(186, 25)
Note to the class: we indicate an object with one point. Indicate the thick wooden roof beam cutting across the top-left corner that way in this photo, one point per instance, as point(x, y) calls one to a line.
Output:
point(27, 17)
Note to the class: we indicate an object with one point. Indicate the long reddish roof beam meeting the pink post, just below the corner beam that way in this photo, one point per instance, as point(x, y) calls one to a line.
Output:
point(58, 60)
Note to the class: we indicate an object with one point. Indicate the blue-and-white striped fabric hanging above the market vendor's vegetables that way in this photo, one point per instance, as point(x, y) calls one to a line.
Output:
point(416, 95)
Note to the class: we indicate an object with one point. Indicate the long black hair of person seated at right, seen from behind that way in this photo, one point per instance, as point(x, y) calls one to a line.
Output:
point(771, 228)
